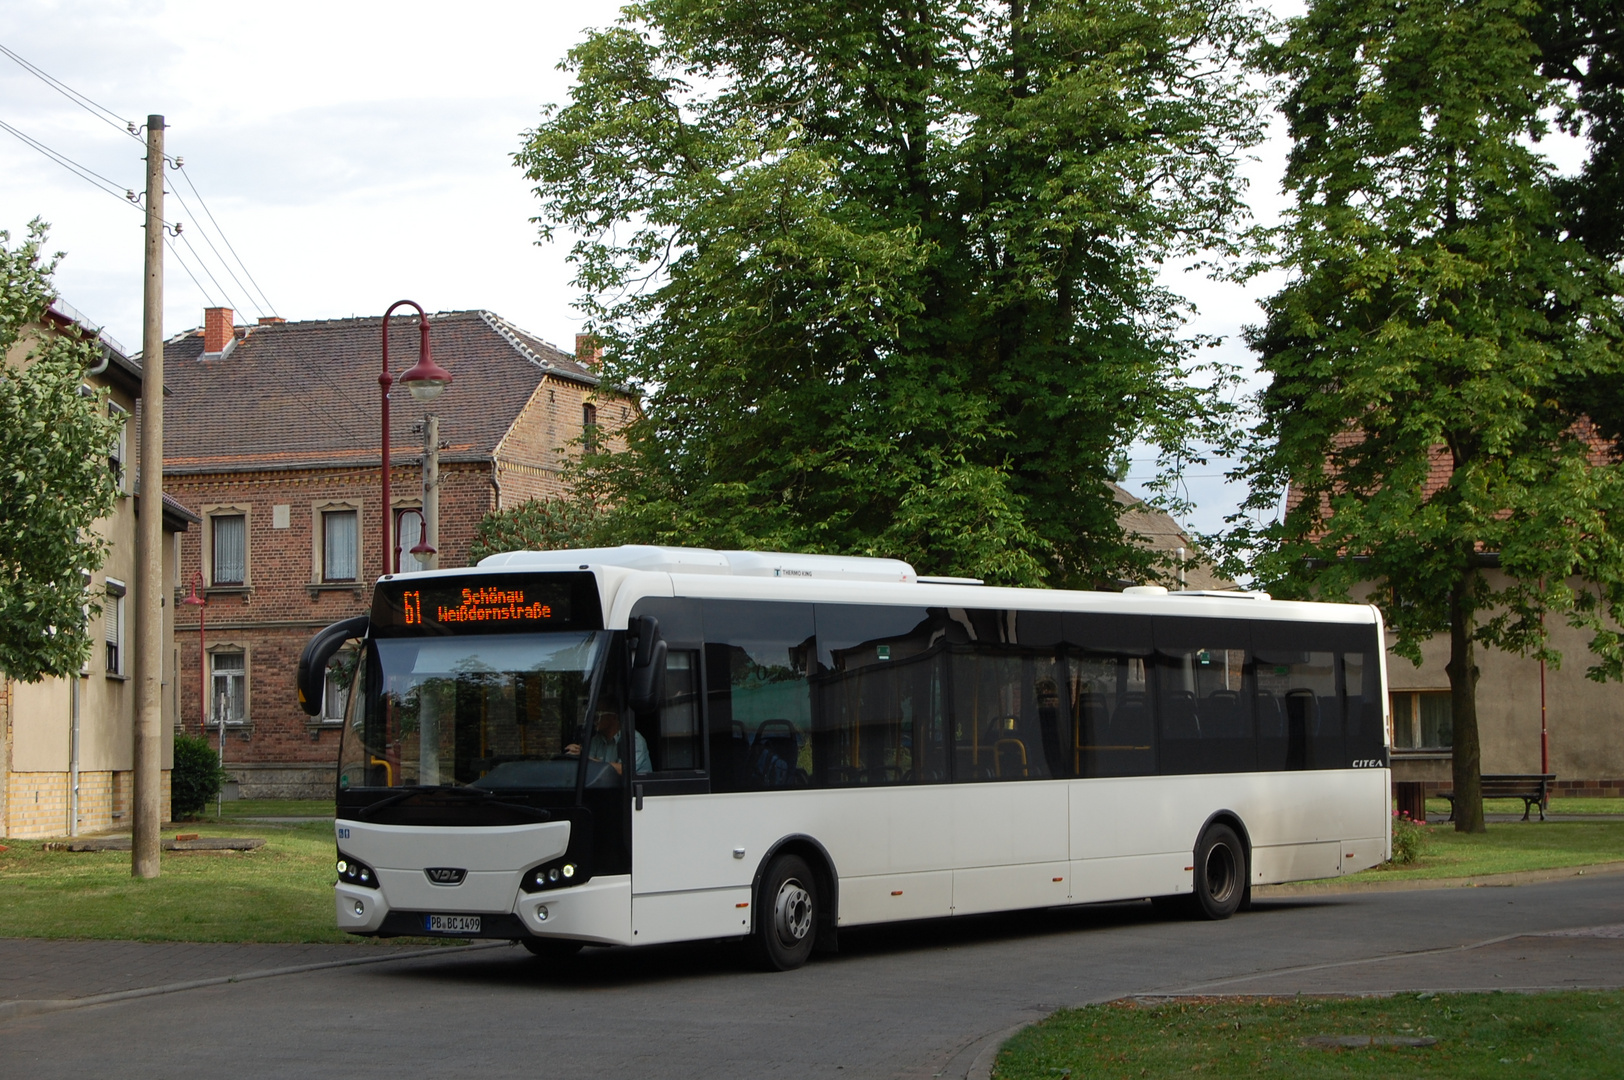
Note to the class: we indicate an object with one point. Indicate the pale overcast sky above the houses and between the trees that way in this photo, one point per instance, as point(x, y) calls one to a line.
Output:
point(355, 155)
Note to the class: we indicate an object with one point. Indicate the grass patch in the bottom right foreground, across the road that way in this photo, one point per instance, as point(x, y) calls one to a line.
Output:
point(1479, 1035)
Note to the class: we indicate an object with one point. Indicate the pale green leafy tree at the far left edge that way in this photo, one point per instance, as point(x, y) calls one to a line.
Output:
point(54, 477)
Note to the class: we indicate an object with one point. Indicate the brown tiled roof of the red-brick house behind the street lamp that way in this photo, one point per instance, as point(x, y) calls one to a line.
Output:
point(304, 395)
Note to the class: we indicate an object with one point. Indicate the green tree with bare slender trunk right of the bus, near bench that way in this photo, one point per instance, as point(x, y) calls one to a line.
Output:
point(1435, 311)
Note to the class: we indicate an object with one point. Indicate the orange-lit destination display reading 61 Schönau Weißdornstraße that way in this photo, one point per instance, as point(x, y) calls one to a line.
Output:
point(488, 605)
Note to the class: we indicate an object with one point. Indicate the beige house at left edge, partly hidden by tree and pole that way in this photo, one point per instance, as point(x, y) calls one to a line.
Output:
point(67, 746)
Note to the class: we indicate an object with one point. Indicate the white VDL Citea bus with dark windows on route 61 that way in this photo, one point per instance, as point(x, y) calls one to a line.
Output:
point(652, 745)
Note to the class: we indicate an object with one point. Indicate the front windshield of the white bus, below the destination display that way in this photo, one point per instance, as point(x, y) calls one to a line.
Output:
point(495, 712)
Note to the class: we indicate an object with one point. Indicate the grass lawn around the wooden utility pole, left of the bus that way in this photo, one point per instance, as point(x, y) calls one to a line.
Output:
point(283, 892)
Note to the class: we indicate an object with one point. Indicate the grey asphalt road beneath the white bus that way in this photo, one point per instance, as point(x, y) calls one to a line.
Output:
point(928, 1000)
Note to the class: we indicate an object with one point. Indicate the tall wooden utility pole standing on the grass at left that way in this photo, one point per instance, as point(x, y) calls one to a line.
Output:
point(150, 532)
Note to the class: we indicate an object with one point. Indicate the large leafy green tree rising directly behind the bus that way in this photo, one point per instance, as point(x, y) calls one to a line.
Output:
point(886, 274)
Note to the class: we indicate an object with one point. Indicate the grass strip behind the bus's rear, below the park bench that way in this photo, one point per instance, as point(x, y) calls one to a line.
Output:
point(1510, 847)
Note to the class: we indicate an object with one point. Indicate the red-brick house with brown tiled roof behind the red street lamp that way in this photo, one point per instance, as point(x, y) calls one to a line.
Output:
point(274, 434)
